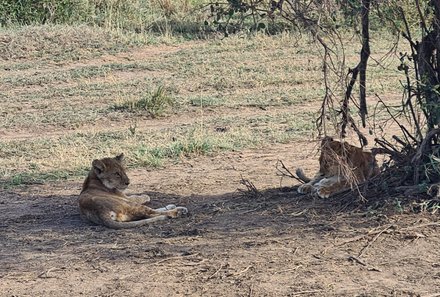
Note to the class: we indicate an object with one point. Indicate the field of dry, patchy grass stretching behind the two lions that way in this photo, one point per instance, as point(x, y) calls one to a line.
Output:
point(60, 83)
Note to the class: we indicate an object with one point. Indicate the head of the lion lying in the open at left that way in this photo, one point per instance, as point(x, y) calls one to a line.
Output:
point(111, 172)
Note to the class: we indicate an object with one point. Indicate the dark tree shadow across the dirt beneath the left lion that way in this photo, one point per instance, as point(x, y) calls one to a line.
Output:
point(42, 225)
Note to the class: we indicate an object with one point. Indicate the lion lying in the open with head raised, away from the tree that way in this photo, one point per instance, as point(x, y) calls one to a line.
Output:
point(103, 202)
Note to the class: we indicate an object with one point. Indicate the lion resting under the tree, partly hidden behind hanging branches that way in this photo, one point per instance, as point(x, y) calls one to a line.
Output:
point(341, 166)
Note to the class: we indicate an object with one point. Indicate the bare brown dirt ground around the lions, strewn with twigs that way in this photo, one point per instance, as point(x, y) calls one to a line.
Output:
point(231, 244)
